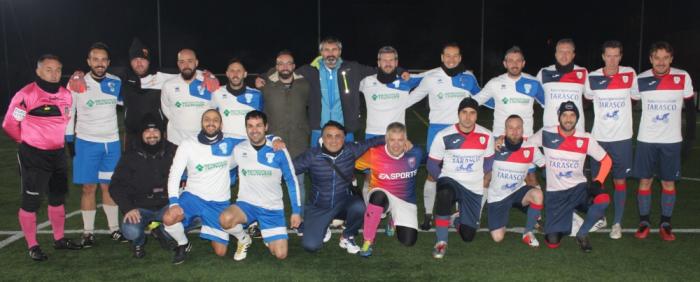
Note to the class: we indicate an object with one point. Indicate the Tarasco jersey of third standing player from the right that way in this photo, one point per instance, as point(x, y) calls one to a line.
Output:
point(560, 87)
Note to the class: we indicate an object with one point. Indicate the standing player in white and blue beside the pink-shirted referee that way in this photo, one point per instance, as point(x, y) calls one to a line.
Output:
point(93, 127)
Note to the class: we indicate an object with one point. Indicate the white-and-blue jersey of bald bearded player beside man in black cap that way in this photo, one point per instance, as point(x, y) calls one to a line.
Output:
point(183, 104)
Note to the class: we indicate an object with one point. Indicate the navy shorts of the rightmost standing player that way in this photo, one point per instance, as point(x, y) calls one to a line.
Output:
point(654, 159)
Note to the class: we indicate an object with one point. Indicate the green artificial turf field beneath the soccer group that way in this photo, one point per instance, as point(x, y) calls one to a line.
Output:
point(611, 260)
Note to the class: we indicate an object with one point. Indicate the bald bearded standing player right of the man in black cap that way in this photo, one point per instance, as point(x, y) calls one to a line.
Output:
point(185, 98)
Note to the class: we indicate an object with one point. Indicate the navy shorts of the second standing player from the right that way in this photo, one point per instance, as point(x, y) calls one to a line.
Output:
point(621, 154)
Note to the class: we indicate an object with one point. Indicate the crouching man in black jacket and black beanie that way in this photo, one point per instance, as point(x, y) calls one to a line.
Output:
point(139, 183)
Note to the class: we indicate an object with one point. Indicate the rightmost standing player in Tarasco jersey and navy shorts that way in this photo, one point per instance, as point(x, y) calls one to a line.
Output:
point(663, 91)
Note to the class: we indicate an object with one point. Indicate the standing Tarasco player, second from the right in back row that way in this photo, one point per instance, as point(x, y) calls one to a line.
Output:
point(610, 87)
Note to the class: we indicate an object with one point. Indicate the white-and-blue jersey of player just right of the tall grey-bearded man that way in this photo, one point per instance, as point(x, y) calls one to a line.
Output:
point(386, 103)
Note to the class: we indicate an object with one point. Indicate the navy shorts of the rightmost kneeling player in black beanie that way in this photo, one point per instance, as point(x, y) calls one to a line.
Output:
point(560, 207)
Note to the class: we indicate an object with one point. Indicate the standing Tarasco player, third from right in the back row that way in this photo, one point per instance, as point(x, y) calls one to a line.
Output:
point(563, 81)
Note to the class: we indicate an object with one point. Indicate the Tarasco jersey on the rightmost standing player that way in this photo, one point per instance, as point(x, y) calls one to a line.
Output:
point(662, 104)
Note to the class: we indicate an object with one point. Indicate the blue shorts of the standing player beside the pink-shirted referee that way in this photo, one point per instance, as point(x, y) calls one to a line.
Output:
point(94, 162)
